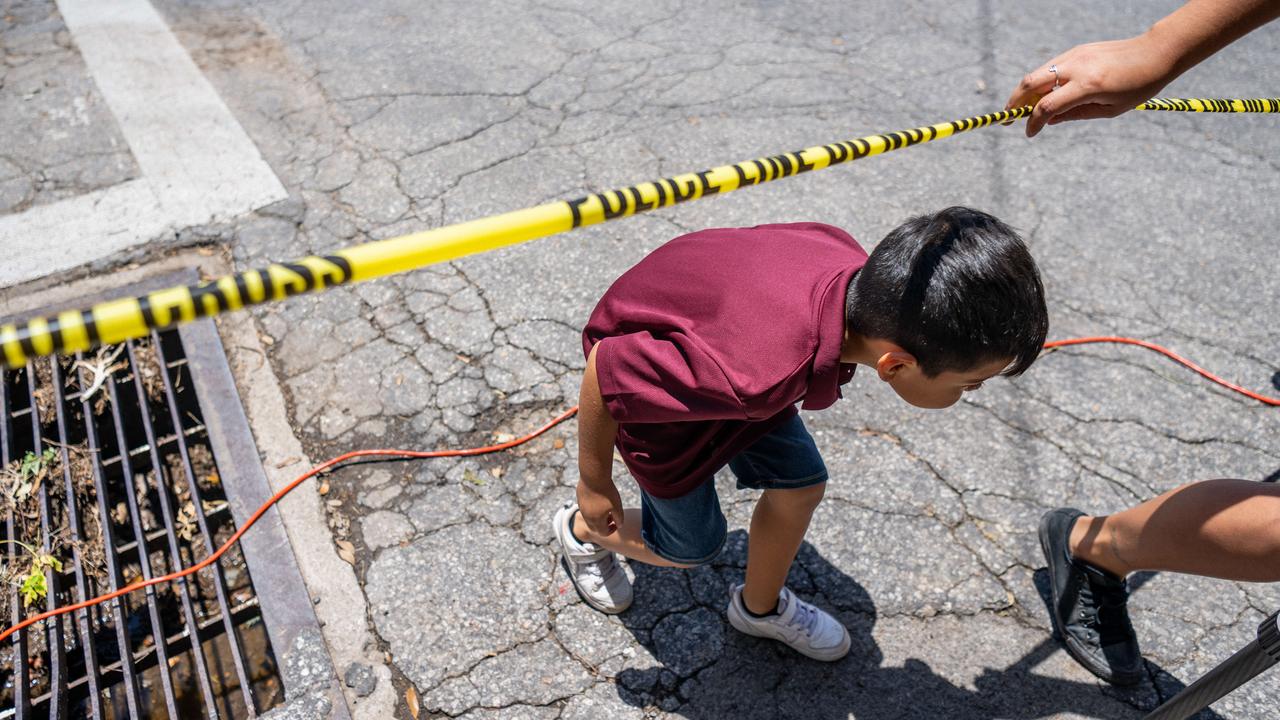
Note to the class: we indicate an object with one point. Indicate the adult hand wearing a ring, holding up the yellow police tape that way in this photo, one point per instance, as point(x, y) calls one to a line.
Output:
point(1101, 80)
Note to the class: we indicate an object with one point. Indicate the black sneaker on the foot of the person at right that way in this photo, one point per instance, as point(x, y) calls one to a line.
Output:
point(1090, 607)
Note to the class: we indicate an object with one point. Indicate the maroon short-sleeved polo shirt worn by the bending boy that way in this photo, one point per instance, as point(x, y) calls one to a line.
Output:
point(708, 344)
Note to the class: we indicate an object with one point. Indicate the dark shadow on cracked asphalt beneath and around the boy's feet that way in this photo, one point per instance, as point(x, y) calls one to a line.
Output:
point(708, 671)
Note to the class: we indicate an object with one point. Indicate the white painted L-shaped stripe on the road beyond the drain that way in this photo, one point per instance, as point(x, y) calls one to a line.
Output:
point(198, 165)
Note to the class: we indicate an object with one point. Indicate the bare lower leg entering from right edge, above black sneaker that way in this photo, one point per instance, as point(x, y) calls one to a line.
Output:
point(1218, 528)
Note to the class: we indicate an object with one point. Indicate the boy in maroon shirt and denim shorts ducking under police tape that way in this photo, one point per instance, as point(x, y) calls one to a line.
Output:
point(697, 357)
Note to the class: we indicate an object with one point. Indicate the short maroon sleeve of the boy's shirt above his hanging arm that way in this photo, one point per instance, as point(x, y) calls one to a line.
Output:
point(671, 379)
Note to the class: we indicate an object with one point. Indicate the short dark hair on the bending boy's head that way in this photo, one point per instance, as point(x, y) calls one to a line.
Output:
point(956, 289)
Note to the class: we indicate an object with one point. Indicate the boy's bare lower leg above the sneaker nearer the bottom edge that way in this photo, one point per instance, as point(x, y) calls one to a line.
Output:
point(778, 528)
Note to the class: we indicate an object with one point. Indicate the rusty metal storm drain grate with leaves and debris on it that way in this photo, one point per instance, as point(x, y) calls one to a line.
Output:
point(109, 476)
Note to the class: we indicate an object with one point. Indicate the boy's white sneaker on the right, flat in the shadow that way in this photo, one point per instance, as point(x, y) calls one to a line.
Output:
point(806, 628)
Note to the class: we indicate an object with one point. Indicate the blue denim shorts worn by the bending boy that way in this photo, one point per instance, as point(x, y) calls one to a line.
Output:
point(691, 530)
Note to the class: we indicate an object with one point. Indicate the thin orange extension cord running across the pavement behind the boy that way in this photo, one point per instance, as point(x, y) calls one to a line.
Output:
point(509, 445)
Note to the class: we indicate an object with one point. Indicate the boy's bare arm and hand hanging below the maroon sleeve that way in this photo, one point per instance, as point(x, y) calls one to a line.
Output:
point(597, 496)
